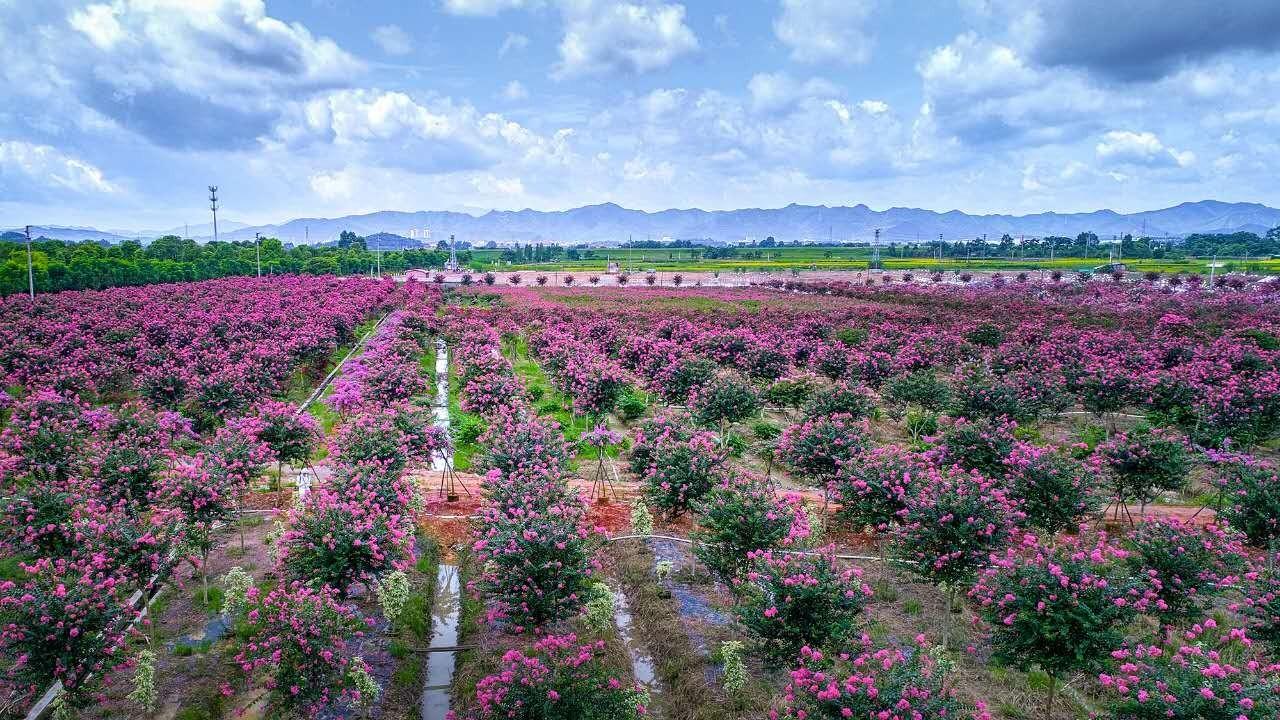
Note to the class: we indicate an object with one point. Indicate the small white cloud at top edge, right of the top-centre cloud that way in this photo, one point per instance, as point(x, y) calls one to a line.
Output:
point(826, 31)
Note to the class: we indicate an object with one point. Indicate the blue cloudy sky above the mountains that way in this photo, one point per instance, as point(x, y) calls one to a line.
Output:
point(120, 113)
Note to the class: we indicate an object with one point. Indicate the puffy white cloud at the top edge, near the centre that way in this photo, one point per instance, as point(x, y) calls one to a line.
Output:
point(605, 38)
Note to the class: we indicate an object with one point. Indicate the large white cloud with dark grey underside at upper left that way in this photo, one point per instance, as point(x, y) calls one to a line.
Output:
point(227, 65)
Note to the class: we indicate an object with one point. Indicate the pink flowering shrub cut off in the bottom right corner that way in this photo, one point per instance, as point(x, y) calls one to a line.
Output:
point(1209, 673)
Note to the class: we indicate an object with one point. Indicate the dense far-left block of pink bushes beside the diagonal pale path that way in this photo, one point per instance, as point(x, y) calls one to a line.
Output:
point(211, 348)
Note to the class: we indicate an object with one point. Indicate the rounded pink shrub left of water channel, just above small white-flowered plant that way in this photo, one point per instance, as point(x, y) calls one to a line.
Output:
point(340, 541)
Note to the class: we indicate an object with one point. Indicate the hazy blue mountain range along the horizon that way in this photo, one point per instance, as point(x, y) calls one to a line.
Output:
point(612, 225)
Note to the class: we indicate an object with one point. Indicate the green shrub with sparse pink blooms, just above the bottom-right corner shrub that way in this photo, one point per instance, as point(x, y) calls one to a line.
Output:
point(1187, 566)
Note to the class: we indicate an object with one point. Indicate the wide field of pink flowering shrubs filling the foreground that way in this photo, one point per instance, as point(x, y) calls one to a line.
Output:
point(322, 498)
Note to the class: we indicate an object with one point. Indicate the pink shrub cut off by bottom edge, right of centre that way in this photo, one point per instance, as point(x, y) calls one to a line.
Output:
point(892, 683)
